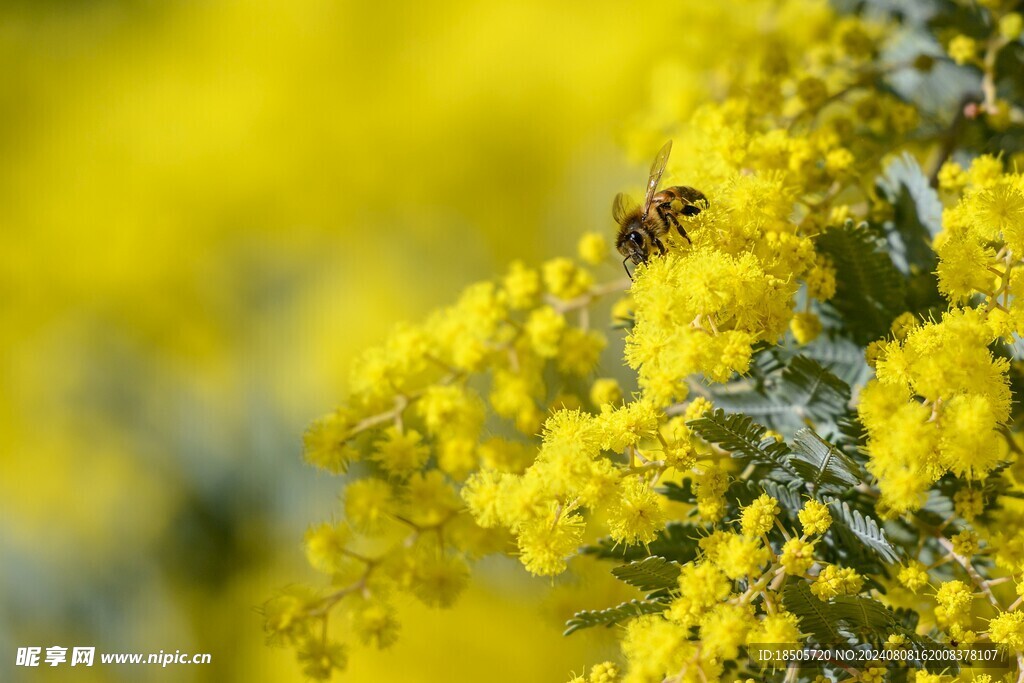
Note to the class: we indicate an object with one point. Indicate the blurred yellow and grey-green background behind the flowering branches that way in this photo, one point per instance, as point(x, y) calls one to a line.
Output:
point(206, 209)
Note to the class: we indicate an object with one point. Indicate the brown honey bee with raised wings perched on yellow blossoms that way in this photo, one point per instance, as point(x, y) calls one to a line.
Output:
point(642, 229)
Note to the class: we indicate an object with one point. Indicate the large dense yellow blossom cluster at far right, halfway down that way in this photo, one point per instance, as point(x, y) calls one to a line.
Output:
point(937, 406)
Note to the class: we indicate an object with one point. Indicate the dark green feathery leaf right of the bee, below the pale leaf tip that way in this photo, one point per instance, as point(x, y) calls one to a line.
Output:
point(870, 291)
